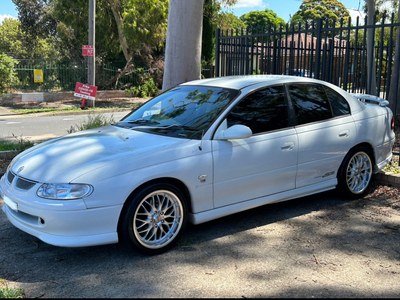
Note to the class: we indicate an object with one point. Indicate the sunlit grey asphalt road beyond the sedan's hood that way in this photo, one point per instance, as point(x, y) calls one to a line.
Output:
point(45, 127)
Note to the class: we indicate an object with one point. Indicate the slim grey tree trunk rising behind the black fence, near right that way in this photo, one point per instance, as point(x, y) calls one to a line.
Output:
point(371, 77)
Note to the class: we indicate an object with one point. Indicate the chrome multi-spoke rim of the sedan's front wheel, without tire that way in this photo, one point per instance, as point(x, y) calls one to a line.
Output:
point(158, 219)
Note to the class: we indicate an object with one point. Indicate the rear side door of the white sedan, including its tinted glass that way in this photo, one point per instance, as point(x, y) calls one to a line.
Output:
point(325, 129)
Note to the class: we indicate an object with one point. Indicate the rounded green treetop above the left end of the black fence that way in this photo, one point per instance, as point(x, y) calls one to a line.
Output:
point(260, 19)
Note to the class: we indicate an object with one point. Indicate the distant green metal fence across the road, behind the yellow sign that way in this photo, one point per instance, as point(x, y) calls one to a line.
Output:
point(63, 75)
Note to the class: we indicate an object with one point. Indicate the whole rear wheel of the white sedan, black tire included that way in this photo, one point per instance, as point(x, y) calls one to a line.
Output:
point(355, 174)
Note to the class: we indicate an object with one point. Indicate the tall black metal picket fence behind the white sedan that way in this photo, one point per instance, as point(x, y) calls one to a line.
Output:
point(336, 53)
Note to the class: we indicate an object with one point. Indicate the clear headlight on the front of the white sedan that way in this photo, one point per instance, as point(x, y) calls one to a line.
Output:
point(64, 191)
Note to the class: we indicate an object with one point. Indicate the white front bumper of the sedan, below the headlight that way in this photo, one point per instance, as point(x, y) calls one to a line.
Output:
point(60, 223)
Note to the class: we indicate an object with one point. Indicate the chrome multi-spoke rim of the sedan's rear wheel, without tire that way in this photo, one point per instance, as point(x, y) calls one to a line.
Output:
point(359, 172)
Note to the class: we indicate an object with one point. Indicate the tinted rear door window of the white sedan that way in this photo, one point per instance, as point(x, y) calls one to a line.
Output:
point(310, 103)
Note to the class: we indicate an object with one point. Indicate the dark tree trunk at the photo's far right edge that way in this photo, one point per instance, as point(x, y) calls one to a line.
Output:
point(394, 93)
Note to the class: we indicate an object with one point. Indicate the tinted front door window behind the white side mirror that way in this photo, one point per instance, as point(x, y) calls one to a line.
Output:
point(264, 110)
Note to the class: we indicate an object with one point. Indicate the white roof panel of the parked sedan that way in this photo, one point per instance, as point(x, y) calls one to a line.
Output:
point(242, 81)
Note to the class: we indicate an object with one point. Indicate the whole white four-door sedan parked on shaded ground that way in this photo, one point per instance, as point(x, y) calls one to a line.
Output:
point(199, 151)
